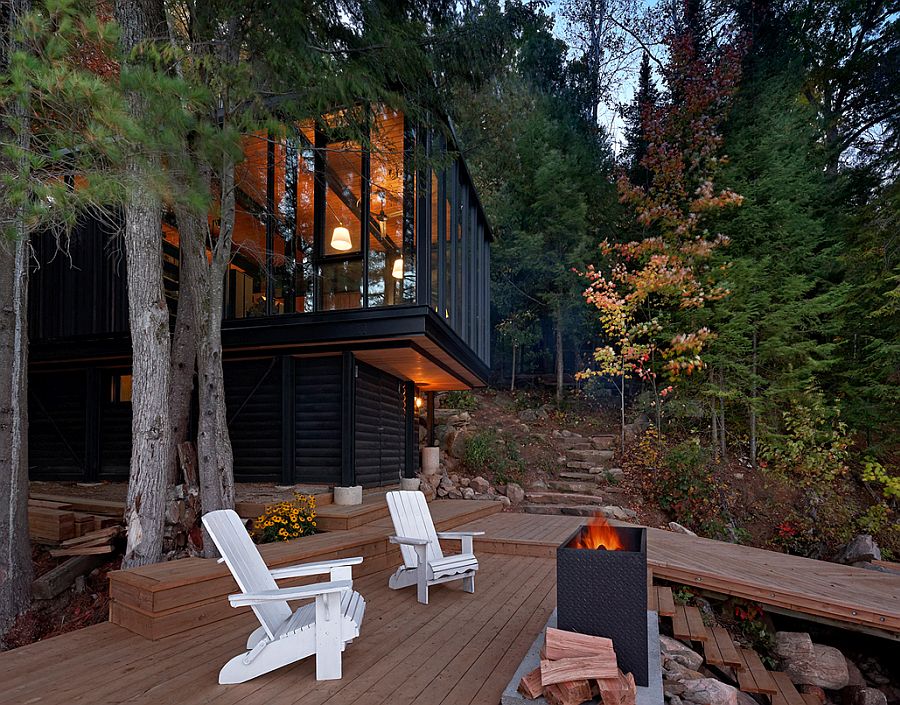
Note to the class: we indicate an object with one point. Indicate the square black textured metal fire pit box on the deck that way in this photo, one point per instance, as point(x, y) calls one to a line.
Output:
point(604, 593)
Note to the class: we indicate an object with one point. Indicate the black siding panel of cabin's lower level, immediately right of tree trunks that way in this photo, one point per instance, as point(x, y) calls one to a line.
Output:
point(253, 397)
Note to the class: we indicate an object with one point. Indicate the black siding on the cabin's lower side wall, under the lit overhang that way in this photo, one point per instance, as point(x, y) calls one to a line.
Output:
point(380, 434)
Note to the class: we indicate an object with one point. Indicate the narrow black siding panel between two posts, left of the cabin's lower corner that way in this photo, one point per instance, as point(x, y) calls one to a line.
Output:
point(317, 420)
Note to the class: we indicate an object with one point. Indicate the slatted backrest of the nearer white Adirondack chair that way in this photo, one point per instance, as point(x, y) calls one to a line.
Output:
point(246, 565)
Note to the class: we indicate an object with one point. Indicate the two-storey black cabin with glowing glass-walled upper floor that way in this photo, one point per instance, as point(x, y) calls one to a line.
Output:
point(359, 284)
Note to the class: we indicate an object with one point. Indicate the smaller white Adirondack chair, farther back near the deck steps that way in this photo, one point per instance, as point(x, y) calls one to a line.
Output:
point(424, 563)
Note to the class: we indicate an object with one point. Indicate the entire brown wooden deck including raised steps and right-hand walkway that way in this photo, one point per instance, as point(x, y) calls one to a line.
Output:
point(459, 649)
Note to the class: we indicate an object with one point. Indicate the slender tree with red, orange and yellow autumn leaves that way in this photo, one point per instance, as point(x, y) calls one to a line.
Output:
point(643, 281)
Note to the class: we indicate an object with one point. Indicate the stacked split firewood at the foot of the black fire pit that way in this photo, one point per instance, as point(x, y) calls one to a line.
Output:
point(576, 668)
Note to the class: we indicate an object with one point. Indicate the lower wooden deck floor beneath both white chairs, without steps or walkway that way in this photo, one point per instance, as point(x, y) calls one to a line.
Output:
point(459, 649)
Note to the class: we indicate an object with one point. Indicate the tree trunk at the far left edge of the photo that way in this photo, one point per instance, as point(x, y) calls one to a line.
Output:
point(16, 570)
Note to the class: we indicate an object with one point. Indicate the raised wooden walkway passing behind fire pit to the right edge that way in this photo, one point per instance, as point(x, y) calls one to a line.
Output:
point(851, 597)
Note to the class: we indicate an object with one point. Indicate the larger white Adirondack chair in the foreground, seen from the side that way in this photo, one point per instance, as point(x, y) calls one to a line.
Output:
point(323, 627)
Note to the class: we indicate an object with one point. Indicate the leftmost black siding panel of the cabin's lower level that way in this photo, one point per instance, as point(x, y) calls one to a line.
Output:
point(56, 425)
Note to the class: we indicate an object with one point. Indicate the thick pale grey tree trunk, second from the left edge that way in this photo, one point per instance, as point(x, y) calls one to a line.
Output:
point(140, 21)
